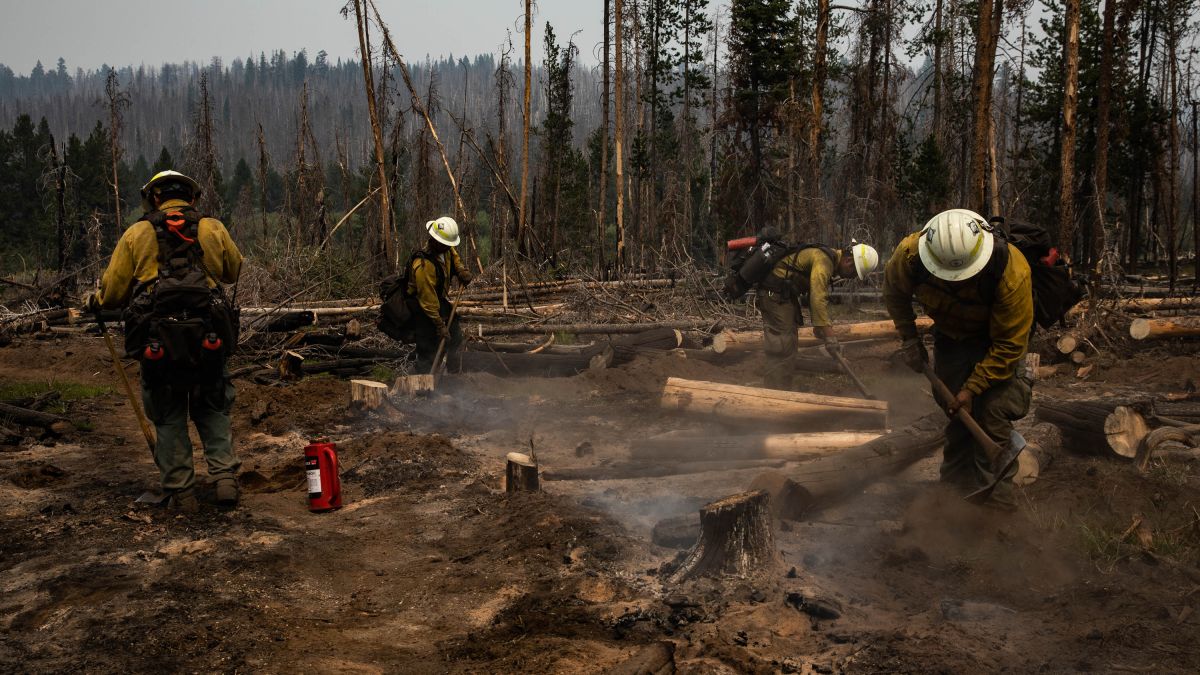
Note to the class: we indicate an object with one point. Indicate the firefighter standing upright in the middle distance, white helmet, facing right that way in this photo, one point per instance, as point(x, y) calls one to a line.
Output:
point(429, 286)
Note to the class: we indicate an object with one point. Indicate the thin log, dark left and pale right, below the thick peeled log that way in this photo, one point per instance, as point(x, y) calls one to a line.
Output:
point(773, 446)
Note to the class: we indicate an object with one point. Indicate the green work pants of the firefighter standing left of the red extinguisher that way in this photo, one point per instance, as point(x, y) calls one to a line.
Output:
point(209, 408)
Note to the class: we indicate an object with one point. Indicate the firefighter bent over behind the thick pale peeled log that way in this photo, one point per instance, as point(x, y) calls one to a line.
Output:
point(808, 271)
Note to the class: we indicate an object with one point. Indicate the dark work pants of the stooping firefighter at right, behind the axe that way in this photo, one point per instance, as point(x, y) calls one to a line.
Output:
point(965, 464)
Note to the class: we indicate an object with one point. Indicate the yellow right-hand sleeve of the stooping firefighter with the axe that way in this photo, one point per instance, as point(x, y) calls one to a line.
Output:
point(1012, 320)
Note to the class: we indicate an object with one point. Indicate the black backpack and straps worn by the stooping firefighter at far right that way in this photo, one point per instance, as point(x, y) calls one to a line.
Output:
point(1054, 290)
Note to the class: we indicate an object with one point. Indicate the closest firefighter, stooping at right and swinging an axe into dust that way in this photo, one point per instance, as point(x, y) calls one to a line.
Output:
point(977, 289)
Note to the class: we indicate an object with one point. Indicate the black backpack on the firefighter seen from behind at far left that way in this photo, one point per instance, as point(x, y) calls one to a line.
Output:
point(179, 327)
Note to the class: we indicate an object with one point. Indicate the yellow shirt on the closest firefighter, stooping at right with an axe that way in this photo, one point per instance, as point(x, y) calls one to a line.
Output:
point(963, 315)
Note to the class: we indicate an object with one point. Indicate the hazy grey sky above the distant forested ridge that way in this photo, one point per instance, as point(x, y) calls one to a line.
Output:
point(92, 33)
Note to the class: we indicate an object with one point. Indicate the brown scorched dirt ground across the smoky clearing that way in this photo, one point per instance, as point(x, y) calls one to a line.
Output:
point(431, 568)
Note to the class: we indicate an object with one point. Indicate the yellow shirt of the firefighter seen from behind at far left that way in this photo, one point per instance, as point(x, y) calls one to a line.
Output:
point(136, 258)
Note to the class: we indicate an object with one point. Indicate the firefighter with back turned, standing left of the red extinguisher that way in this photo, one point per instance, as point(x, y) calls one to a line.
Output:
point(183, 372)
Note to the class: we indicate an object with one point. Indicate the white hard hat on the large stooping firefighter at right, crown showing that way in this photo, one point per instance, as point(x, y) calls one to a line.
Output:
point(956, 244)
